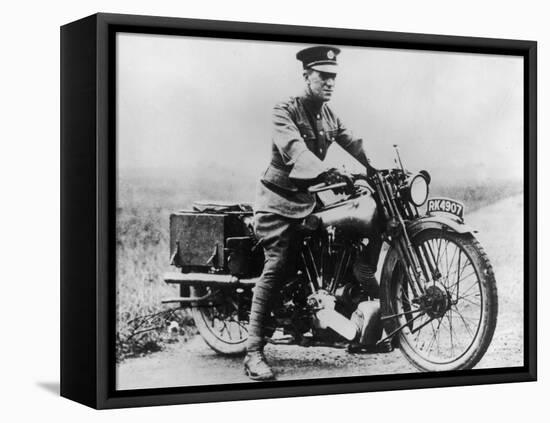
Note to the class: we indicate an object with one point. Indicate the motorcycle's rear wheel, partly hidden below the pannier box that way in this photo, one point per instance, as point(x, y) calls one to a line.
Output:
point(221, 324)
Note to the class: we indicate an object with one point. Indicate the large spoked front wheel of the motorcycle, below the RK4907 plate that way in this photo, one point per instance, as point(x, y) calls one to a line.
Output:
point(450, 324)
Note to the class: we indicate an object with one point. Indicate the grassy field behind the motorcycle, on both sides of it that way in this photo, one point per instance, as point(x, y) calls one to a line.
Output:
point(144, 204)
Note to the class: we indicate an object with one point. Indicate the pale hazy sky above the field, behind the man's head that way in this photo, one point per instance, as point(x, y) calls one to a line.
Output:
point(187, 101)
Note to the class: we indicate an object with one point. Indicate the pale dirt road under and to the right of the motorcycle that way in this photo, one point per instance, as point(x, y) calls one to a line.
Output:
point(193, 363)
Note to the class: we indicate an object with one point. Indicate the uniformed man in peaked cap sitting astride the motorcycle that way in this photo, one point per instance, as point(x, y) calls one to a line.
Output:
point(303, 129)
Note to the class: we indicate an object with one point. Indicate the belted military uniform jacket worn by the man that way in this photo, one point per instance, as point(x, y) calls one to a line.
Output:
point(302, 134)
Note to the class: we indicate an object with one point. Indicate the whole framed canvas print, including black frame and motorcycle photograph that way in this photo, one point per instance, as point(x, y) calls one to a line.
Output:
point(255, 211)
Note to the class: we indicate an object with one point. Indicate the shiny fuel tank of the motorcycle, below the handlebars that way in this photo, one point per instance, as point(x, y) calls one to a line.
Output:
point(356, 217)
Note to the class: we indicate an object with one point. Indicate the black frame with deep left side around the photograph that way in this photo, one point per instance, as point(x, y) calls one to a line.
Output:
point(88, 209)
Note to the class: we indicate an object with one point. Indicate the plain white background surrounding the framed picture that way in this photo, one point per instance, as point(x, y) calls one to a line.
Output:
point(30, 209)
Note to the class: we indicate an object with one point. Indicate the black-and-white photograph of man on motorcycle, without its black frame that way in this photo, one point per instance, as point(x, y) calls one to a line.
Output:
point(299, 211)
